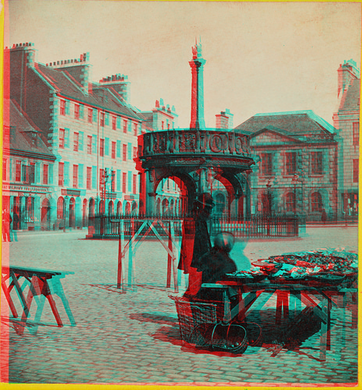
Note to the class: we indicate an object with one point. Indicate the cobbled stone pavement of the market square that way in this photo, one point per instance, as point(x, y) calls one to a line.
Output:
point(133, 337)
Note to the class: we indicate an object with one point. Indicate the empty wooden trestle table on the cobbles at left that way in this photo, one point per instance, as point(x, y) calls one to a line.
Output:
point(39, 288)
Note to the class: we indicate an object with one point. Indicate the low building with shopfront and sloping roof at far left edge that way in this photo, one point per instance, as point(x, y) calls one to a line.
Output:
point(28, 171)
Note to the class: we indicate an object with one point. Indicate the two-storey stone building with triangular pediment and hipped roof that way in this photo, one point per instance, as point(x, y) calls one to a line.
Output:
point(297, 171)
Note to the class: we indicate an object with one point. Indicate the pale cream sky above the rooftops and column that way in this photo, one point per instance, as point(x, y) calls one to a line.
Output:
point(260, 57)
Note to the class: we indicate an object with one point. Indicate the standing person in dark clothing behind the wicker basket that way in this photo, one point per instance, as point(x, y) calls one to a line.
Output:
point(195, 241)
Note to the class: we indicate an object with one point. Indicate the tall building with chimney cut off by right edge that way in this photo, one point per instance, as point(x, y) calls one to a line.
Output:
point(346, 121)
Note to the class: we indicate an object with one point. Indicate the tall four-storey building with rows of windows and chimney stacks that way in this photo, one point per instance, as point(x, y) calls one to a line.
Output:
point(89, 127)
